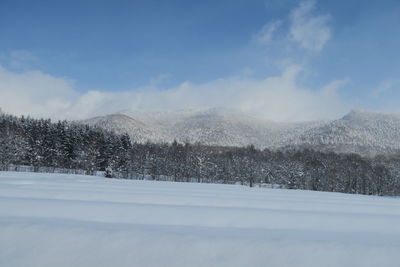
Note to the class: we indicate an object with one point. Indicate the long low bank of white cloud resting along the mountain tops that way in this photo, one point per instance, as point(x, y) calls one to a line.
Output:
point(278, 97)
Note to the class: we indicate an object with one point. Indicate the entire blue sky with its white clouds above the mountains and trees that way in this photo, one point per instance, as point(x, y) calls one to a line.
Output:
point(281, 60)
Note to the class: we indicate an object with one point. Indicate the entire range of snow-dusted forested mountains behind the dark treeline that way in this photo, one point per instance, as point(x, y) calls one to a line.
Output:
point(359, 131)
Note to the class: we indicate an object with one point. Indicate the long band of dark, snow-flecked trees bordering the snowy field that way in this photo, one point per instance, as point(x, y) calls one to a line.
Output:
point(41, 143)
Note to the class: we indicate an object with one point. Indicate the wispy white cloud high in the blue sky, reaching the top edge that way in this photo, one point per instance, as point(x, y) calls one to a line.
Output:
point(310, 31)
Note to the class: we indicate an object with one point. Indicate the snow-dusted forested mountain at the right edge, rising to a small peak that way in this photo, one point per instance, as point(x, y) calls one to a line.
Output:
point(360, 131)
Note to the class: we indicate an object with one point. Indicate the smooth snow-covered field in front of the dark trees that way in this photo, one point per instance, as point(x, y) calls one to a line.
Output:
point(69, 220)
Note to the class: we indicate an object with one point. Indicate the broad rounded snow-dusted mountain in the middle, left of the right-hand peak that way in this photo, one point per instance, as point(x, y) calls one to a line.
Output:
point(216, 126)
